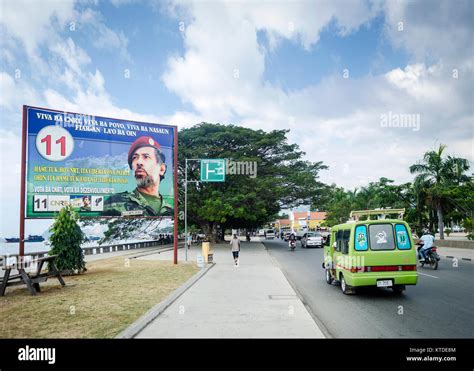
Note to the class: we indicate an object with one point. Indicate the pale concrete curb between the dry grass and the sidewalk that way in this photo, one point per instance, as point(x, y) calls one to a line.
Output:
point(135, 328)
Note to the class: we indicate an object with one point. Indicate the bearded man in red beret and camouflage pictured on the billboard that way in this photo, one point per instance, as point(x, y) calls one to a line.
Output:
point(147, 162)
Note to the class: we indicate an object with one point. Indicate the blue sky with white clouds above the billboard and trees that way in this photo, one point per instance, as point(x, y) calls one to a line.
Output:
point(339, 74)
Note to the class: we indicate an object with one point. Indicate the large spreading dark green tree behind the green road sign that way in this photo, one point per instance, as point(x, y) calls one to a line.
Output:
point(283, 178)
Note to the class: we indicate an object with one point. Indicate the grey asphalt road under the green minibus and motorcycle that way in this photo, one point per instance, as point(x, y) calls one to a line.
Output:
point(439, 306)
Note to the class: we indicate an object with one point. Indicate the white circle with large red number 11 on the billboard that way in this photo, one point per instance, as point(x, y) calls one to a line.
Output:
point(54, 143)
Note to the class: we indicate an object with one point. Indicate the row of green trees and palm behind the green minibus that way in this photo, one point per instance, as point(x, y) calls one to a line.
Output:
point(441, 193)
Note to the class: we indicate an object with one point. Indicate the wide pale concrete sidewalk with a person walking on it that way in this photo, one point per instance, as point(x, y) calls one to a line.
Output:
point(253, 300)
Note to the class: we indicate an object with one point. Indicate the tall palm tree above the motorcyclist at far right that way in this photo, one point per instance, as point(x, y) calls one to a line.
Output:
point(435, 174)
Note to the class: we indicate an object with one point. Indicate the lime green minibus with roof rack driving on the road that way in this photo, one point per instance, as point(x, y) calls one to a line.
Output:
point(377, 253)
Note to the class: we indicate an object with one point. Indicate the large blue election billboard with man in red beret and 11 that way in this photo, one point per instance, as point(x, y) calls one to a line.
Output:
point(101, 166)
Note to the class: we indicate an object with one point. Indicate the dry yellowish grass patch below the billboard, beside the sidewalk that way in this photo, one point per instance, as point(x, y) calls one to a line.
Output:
point(97, 304)
